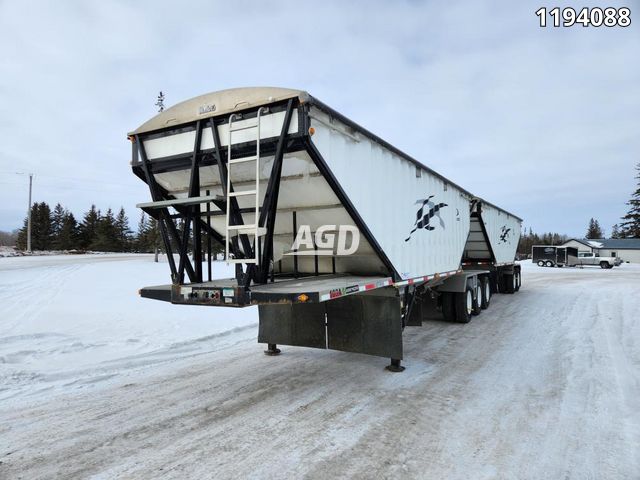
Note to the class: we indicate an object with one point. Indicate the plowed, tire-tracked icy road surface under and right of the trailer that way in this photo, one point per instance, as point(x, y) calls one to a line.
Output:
point(545, 384)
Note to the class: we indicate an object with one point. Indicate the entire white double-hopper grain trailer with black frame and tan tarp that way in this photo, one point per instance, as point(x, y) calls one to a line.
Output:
point(337, 235)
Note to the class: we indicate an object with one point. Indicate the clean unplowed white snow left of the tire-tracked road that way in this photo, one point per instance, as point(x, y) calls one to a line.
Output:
point(75, 321)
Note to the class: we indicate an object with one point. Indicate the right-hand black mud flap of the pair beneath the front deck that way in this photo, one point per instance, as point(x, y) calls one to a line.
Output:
point(365, 324)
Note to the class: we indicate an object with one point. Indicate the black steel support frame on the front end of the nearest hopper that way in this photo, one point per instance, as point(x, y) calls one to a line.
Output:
point(195, 221)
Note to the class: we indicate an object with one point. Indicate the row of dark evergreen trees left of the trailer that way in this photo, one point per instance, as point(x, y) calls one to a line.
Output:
point(58, 229)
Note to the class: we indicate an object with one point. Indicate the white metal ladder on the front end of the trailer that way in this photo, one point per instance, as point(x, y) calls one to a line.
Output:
point(233, 229)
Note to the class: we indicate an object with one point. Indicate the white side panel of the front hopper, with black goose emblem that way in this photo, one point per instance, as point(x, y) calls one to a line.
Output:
point(420, 221)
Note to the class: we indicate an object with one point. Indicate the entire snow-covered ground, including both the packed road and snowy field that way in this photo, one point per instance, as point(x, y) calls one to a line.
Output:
point(98, 383)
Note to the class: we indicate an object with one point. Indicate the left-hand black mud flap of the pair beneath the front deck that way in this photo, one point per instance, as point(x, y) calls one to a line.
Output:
point(300, 324)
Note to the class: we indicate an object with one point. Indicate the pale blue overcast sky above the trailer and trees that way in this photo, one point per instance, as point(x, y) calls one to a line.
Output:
point(544, 122)
